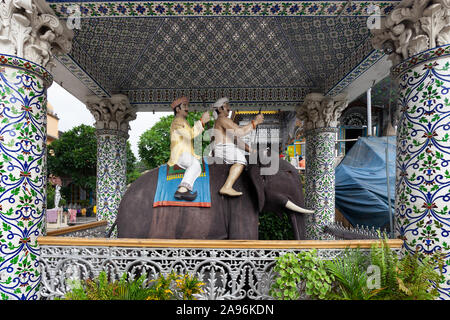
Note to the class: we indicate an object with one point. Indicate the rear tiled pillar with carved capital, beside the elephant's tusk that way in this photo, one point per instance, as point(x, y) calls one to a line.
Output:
point(319, 115)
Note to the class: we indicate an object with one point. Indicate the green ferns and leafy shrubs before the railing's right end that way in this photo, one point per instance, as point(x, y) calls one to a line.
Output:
point(412, 277)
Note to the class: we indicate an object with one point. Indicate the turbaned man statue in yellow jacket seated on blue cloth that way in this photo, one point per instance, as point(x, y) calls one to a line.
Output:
point(182, 148)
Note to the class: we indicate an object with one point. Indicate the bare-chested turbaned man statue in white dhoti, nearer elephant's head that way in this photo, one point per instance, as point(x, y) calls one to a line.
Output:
point(228, 144)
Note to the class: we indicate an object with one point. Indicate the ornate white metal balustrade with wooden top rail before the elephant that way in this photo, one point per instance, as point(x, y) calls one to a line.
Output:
point(230, 269)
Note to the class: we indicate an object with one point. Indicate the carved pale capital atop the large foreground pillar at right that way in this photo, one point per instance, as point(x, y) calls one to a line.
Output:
point(412, 27)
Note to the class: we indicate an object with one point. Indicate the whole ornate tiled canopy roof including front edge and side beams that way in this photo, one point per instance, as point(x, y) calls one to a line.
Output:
point(266, 55)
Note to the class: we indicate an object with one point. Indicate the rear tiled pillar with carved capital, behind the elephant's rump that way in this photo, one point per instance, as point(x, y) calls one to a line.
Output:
point(112, 117)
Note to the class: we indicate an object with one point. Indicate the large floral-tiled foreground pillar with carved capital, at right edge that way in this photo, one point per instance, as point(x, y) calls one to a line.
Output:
point(417, 37)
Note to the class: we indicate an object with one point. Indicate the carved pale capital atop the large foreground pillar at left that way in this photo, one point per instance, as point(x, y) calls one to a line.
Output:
point(29, 29)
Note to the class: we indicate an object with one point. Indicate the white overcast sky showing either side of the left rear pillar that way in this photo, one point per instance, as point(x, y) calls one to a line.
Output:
point(71, 113)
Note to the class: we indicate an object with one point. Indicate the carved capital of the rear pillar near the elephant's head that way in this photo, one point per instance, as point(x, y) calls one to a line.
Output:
point(319, 111)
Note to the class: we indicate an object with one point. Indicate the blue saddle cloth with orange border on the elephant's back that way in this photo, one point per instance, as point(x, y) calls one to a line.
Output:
point(169, 179)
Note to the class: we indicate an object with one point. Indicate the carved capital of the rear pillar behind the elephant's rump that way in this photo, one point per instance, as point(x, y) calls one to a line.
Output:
point(113, 113)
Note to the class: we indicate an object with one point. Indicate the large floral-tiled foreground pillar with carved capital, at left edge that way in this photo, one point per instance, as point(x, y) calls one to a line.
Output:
point(29, 35)
